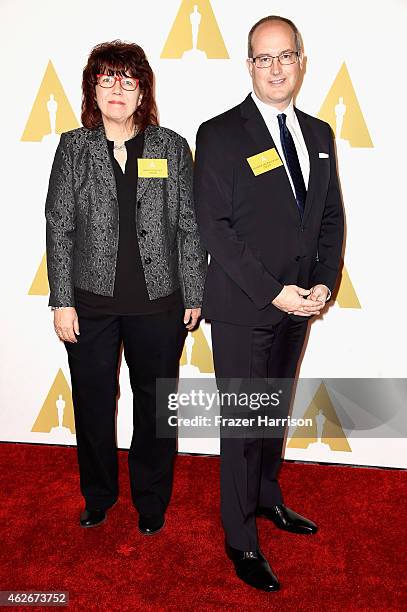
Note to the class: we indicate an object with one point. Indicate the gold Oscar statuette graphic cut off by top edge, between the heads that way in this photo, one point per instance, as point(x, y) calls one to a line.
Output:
point(195, 33)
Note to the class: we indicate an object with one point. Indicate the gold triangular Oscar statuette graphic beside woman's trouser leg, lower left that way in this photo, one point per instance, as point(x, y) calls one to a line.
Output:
point(56, 414)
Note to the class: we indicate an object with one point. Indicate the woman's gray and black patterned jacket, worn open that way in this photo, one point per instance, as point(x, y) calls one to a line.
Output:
point(83, 219)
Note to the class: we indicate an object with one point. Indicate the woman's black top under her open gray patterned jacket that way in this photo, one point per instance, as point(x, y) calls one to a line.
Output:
point(130, 291)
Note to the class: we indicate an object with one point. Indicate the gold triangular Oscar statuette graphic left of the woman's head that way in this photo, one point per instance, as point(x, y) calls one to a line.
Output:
point(51, 113)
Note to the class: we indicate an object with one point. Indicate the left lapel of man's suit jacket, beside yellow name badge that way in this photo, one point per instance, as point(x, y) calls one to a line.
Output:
point(257, 129)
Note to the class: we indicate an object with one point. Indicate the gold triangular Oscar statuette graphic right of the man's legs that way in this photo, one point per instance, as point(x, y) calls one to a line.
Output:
point(326, 432)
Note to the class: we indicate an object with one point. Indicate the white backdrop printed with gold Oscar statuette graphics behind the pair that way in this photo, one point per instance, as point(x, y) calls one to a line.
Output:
point(355, 50)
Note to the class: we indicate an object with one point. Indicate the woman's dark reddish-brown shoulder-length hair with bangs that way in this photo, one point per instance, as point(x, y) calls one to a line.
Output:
point(118, 57)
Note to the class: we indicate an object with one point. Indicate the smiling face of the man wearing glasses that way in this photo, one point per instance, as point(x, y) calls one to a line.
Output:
point(274, 85)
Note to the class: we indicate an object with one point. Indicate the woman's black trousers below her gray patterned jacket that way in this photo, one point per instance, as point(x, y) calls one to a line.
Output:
point(152, 349)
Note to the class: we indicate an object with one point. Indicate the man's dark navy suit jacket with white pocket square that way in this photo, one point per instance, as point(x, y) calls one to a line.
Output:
point(251, 225)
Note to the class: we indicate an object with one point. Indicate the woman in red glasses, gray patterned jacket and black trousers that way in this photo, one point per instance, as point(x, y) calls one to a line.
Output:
point(125, 264)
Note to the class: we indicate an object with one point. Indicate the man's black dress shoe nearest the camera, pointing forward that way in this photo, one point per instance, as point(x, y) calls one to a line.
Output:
point(253, 569)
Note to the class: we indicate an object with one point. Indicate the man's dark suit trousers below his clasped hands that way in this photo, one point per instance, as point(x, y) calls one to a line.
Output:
point(249, 465)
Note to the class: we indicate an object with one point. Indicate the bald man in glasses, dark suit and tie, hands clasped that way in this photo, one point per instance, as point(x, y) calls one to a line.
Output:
point(270, 215)
